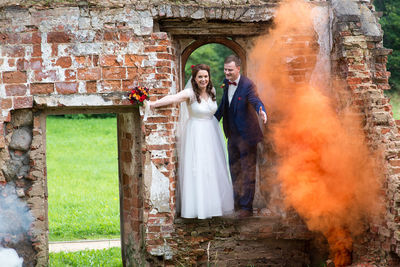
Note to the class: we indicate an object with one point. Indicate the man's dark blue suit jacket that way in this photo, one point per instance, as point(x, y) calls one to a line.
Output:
point(243, 110)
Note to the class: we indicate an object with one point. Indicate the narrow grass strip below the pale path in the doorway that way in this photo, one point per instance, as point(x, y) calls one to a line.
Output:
point(96, 258)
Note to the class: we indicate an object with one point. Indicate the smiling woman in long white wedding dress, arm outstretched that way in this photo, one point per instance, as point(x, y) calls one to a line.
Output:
point(204, 181)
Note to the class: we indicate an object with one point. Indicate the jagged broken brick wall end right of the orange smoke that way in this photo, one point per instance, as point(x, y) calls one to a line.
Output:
point(359, 59)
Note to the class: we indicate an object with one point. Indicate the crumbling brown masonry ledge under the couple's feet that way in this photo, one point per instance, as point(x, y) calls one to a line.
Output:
point(273, 240)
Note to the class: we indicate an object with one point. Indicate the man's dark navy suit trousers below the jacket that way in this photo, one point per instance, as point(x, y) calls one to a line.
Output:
point(242, 164)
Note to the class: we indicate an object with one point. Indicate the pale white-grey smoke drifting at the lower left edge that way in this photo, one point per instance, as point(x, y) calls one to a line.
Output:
point(15, 222)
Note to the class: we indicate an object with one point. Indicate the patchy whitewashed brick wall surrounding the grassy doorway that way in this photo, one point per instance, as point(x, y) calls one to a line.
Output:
point(74, 58)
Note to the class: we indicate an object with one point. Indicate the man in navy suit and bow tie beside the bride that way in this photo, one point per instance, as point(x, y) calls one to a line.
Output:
point(239, 107)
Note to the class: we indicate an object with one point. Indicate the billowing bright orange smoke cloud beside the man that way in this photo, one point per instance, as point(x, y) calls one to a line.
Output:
point(325, 169)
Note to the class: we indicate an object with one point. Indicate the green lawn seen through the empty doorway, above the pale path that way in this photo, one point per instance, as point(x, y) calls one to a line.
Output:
point(82, 173)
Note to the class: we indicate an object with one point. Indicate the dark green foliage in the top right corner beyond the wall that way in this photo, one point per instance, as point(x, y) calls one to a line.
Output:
point(390, 22)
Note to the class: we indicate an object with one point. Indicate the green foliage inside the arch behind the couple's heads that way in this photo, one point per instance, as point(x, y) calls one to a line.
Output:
point(214, 56)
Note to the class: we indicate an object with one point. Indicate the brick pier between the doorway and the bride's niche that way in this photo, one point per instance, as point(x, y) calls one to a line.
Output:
point(160, 147)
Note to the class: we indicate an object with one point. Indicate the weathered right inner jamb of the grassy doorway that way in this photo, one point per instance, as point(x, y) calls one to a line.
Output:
point(131, 187)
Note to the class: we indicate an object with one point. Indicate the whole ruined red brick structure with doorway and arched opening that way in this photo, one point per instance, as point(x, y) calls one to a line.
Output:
point(82, 57)
